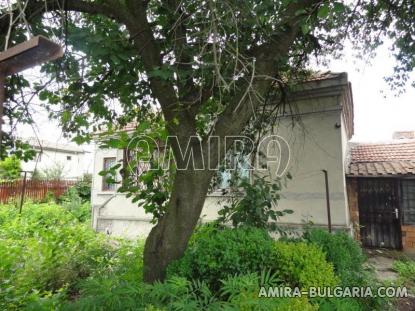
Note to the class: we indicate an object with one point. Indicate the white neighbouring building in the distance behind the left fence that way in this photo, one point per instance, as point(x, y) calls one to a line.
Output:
point(49, 155)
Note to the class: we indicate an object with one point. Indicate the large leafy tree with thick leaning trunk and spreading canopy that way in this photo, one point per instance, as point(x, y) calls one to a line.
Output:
point(209, 66)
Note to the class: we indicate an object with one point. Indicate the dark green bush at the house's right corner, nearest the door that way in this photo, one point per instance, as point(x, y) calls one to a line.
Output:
point(343, 252)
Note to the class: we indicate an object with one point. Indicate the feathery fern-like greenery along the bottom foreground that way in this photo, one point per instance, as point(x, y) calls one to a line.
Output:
point(178, 293)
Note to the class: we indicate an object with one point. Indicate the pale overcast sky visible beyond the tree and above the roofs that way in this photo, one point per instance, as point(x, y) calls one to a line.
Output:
point(377, 112)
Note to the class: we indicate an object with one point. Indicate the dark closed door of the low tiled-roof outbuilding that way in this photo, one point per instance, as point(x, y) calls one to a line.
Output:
point(379, 213)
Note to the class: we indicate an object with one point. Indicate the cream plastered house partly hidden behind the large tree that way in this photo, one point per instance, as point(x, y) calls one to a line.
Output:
point(317, 131)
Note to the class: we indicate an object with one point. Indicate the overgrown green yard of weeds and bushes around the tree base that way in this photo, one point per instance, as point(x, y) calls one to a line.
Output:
point(52, 260)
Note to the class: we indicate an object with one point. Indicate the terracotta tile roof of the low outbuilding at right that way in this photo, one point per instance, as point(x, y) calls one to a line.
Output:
point(392, 159)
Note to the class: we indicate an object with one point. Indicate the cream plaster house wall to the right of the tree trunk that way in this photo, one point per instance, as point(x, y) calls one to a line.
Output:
point(315, 144)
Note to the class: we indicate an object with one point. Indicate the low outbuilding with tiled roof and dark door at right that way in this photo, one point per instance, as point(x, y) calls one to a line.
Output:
point(381, 191)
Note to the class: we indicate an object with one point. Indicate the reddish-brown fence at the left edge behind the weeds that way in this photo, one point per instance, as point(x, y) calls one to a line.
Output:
point(36, 190)
